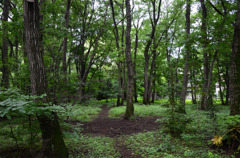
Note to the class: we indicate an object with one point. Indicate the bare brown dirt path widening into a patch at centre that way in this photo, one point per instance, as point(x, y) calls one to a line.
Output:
point(104, 126)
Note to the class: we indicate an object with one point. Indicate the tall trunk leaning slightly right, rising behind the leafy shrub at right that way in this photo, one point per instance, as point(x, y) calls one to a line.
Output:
point(186, 67)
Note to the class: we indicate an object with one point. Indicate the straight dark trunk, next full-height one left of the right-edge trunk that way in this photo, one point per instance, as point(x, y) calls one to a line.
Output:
point(205, 54)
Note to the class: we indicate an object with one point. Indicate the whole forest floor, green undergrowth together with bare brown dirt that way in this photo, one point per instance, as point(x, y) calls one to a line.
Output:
point(93, 130)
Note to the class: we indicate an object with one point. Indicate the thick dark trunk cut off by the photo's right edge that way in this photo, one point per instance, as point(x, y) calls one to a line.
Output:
point(235, 68)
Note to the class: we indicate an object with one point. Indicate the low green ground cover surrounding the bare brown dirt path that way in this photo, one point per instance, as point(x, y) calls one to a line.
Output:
point(193, 142)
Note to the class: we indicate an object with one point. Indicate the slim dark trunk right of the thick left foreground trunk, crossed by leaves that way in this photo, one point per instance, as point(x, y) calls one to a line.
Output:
point(64, 58)
